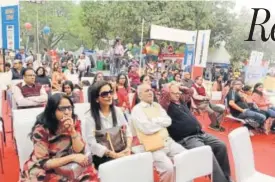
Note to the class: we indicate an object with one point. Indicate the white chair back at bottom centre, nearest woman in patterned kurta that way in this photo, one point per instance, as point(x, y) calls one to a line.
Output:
point(134, 168)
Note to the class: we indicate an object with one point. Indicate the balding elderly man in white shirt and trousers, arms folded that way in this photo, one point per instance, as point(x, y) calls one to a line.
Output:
point(150, 118)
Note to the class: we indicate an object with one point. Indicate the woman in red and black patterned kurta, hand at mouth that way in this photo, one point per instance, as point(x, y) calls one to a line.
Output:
point(57, 141)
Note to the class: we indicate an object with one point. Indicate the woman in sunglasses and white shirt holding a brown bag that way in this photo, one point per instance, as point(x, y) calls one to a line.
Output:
point(108, 134)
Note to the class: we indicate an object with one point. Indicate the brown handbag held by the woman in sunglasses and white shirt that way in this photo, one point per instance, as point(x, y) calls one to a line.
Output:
point(113, 139)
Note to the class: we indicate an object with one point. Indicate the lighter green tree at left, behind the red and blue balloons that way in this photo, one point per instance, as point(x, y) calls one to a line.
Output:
point(63, 19)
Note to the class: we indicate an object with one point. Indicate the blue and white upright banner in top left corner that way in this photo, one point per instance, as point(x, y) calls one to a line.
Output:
point(10, 27)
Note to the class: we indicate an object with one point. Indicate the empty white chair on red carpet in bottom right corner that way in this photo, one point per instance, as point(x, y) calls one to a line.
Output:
point(243, 156)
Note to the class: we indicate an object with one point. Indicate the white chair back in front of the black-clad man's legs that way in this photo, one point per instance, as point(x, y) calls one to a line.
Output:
point(193, 163)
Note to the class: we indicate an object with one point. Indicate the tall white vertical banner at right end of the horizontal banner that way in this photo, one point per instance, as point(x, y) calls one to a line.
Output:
point(202, 48)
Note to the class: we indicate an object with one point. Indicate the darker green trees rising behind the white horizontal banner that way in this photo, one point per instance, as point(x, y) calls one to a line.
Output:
point(109, 19)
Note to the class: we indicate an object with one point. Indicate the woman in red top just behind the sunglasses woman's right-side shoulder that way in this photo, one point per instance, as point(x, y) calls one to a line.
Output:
point(123, 90)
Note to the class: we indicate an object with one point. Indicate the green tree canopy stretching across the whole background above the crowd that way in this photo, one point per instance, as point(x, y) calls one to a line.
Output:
point(90, 22)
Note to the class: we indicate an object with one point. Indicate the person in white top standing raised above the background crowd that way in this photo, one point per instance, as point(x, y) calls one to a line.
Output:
point(118, 54)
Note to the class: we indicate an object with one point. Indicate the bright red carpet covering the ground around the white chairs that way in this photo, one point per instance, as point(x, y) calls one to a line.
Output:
point(264, 150)
